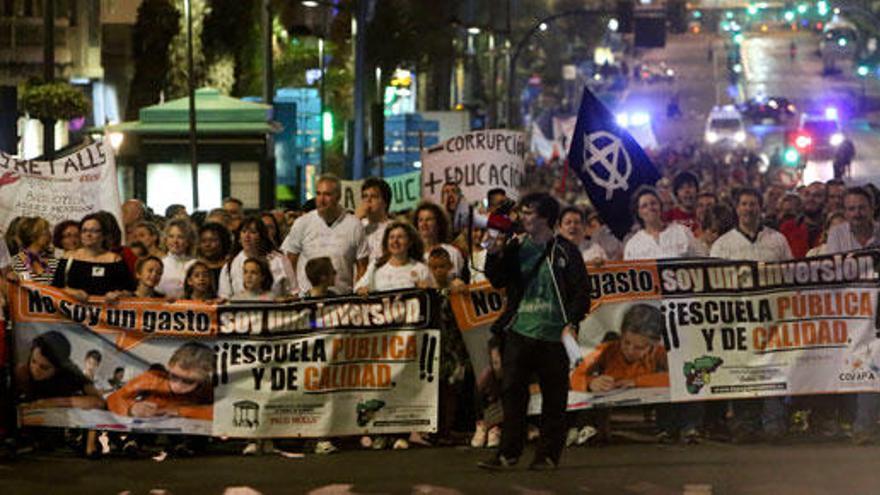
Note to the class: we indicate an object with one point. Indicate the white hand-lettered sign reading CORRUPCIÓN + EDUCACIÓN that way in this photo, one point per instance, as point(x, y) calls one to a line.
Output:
point(478, 162)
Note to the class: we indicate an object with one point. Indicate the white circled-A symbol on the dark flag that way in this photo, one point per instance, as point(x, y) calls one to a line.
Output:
point(606, 162)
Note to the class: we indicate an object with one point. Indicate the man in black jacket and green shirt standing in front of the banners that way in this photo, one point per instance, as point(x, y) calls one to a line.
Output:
point(547, 296)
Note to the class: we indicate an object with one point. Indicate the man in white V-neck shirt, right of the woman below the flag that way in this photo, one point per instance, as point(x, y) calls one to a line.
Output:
point(750, 240)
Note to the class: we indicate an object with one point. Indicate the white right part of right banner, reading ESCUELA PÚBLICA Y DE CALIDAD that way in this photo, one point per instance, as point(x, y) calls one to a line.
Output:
point(741, 329)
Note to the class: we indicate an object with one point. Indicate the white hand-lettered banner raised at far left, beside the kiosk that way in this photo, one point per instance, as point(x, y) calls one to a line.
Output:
point(68, 187)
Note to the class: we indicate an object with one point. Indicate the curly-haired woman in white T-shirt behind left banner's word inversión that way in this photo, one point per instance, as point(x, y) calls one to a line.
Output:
point(400, 266)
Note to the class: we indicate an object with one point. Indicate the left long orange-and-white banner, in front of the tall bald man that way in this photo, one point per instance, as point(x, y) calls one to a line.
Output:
point(315, 368)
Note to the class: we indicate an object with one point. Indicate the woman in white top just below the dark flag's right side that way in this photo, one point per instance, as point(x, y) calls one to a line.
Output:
point(658, 239)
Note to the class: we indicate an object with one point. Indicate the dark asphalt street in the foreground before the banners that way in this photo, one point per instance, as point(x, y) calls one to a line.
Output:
point(622, 468)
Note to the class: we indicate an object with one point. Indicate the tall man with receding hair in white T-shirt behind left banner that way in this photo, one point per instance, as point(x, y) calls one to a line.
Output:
point(329, 231)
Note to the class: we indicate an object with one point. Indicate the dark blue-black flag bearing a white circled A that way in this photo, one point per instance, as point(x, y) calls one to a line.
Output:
point(609, 162)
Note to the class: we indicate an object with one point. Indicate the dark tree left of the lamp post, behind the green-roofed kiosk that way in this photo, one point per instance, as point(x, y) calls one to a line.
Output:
point(157, 24)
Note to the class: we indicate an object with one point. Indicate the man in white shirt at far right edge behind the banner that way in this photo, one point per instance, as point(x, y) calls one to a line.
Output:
point(860, 231)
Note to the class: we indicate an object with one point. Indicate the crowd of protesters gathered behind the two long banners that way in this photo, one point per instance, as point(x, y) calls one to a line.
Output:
point(706, 205)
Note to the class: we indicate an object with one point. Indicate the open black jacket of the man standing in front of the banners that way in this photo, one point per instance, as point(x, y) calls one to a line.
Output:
point(569, 271)
